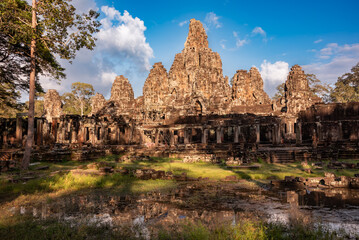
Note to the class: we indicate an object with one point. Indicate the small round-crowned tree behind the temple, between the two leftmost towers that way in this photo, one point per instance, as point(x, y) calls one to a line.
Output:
point(78, 101)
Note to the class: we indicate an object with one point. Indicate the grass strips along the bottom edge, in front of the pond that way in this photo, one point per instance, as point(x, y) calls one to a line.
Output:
point(15, 227)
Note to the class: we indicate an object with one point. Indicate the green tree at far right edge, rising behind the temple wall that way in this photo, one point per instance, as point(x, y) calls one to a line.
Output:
point(347, 87)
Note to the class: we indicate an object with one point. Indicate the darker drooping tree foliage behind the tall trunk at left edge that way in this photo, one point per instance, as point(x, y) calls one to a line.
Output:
point(15, 52)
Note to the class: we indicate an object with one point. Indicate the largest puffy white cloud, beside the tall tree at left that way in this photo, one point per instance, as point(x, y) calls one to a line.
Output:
point(121, 49)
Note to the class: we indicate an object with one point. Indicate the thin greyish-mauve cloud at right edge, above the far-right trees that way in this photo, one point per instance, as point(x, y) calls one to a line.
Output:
point(334, 61)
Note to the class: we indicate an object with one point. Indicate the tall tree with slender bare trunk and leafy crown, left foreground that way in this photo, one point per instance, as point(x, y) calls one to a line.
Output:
point(46, 29)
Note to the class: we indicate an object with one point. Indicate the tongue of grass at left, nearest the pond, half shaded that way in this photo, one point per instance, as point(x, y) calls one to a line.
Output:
point(63, 184)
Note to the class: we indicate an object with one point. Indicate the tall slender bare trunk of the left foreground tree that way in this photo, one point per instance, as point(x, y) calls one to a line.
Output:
point(30, 132)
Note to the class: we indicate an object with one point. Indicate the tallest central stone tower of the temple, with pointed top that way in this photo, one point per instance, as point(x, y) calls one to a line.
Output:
point(196, 72)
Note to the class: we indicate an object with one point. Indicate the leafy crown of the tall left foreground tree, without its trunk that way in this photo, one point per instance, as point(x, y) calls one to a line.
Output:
point(60, 31)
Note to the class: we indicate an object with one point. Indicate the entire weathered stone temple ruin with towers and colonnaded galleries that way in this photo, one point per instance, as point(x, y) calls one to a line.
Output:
point(192, 112)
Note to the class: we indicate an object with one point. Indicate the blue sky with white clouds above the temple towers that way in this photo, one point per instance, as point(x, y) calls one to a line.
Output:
point(321, 36)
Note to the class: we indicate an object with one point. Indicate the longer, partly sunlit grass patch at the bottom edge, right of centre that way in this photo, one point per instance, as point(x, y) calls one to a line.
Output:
point(247, 229)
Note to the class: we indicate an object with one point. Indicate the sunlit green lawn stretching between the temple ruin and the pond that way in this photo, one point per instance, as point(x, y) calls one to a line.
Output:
point(59, 180)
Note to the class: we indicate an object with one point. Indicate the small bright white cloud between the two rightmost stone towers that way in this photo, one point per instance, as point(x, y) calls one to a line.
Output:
point(273, 74)
